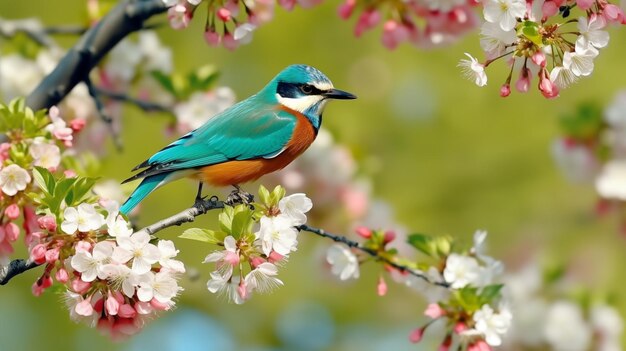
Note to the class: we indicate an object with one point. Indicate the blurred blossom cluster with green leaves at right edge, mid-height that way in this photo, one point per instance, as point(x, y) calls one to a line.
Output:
point(592, 149)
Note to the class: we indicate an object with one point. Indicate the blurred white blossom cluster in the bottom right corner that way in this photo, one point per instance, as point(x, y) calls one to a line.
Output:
point(548, 317)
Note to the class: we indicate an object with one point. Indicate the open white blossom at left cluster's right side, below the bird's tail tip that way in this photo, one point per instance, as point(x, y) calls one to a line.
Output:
point(138, 248)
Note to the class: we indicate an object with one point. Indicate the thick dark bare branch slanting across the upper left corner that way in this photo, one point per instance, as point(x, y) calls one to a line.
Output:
point(125, 18)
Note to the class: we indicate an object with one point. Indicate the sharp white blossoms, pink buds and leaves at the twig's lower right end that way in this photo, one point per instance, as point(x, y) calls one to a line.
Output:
point(460, 287)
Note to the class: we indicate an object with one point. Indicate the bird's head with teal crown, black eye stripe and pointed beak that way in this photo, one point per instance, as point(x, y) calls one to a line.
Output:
point(305, 89)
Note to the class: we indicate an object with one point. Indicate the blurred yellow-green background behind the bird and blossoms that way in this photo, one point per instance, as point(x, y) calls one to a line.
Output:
point(448, 156)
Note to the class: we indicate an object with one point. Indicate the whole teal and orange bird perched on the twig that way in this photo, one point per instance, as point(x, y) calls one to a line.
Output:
point(256, 136)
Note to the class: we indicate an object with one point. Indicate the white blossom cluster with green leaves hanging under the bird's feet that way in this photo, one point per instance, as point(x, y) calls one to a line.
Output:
point(250, 257)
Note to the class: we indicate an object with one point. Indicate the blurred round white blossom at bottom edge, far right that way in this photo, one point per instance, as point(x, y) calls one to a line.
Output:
point(566, 329)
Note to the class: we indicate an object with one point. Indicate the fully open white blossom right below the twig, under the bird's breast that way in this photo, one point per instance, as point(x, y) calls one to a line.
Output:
point(277, 234)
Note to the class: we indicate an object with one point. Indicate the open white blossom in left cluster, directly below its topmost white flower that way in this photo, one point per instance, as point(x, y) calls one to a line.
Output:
point(90, 264)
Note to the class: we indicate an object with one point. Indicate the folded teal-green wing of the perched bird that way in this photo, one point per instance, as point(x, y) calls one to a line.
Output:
point(239, 133)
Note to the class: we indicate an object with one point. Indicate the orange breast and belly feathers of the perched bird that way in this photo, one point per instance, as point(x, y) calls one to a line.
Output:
point(237, 172)
